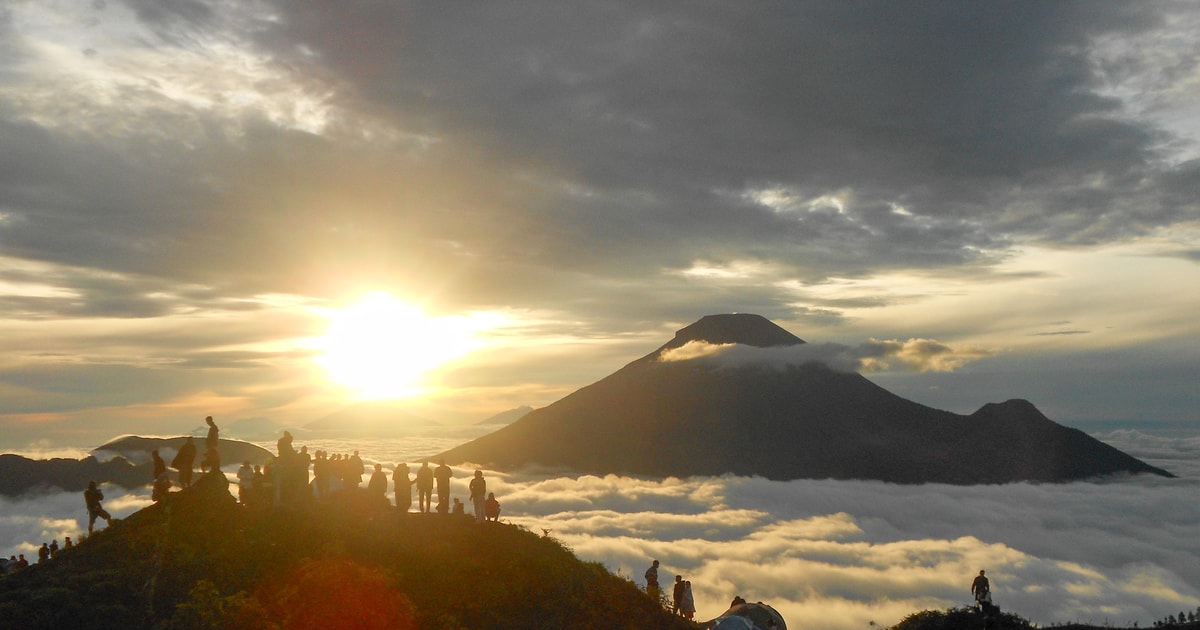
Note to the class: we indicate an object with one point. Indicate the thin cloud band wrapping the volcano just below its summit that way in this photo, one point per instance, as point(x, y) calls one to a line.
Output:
point(920, 356)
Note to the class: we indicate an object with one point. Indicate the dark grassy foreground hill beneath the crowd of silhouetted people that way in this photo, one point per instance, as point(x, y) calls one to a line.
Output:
point(201, 561)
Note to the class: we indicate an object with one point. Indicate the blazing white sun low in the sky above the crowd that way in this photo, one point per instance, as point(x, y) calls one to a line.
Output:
point(382, 347)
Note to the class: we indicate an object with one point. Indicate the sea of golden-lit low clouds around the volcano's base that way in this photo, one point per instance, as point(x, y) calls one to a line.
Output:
point(835, 555)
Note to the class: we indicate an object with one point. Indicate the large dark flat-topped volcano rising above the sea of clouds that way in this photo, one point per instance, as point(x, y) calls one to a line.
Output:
point(793, 422)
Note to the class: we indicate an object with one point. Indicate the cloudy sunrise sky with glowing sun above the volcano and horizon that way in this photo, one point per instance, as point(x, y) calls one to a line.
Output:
point(267, 209)
